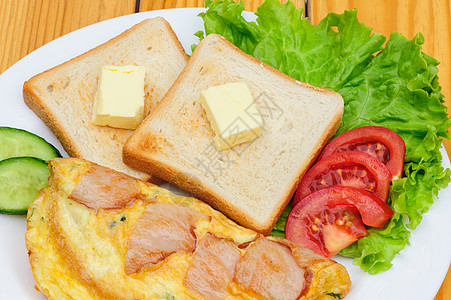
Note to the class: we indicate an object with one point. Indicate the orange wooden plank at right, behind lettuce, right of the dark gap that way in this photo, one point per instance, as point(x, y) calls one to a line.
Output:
point(431, 18)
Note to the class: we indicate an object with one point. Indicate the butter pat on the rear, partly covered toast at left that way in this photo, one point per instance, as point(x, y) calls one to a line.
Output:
point(119, 101)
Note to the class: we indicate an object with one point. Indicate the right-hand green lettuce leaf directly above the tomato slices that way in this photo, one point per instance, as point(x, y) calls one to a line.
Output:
point(397, 90)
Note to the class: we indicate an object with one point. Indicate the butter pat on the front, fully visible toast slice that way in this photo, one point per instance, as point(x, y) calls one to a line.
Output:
point(233, 114)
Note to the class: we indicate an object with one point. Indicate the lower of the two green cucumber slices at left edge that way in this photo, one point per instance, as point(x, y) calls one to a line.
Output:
point(21, 178)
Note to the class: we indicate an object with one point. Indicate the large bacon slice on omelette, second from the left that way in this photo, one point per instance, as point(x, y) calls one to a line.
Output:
point(164, 228)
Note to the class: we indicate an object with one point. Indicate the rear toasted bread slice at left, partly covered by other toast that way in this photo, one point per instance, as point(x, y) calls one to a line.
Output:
point(63, 96)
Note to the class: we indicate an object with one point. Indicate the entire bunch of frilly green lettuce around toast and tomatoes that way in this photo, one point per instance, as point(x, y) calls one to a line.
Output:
point(396, 87)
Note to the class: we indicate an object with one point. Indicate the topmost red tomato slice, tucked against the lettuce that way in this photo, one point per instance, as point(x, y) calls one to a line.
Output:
point(381, 142)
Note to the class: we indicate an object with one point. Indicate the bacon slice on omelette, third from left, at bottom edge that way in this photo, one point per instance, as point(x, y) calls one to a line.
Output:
point(212, 268)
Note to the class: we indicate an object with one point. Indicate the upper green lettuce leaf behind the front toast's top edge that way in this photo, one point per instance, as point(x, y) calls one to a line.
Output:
point(316, 54)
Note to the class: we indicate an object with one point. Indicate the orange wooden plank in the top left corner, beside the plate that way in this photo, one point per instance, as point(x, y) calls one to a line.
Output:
point(25, 25)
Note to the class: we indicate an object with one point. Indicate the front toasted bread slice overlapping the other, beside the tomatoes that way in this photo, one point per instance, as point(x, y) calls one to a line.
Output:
point(252, 182)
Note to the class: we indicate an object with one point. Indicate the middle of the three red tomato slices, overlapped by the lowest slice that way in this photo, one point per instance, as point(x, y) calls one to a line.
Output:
point(348, 168)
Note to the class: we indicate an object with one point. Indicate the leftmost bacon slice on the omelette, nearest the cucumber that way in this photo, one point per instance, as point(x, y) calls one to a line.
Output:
point(101, 187)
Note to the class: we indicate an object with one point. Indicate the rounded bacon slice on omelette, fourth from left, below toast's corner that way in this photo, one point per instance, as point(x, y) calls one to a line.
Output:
point(269, 269)
